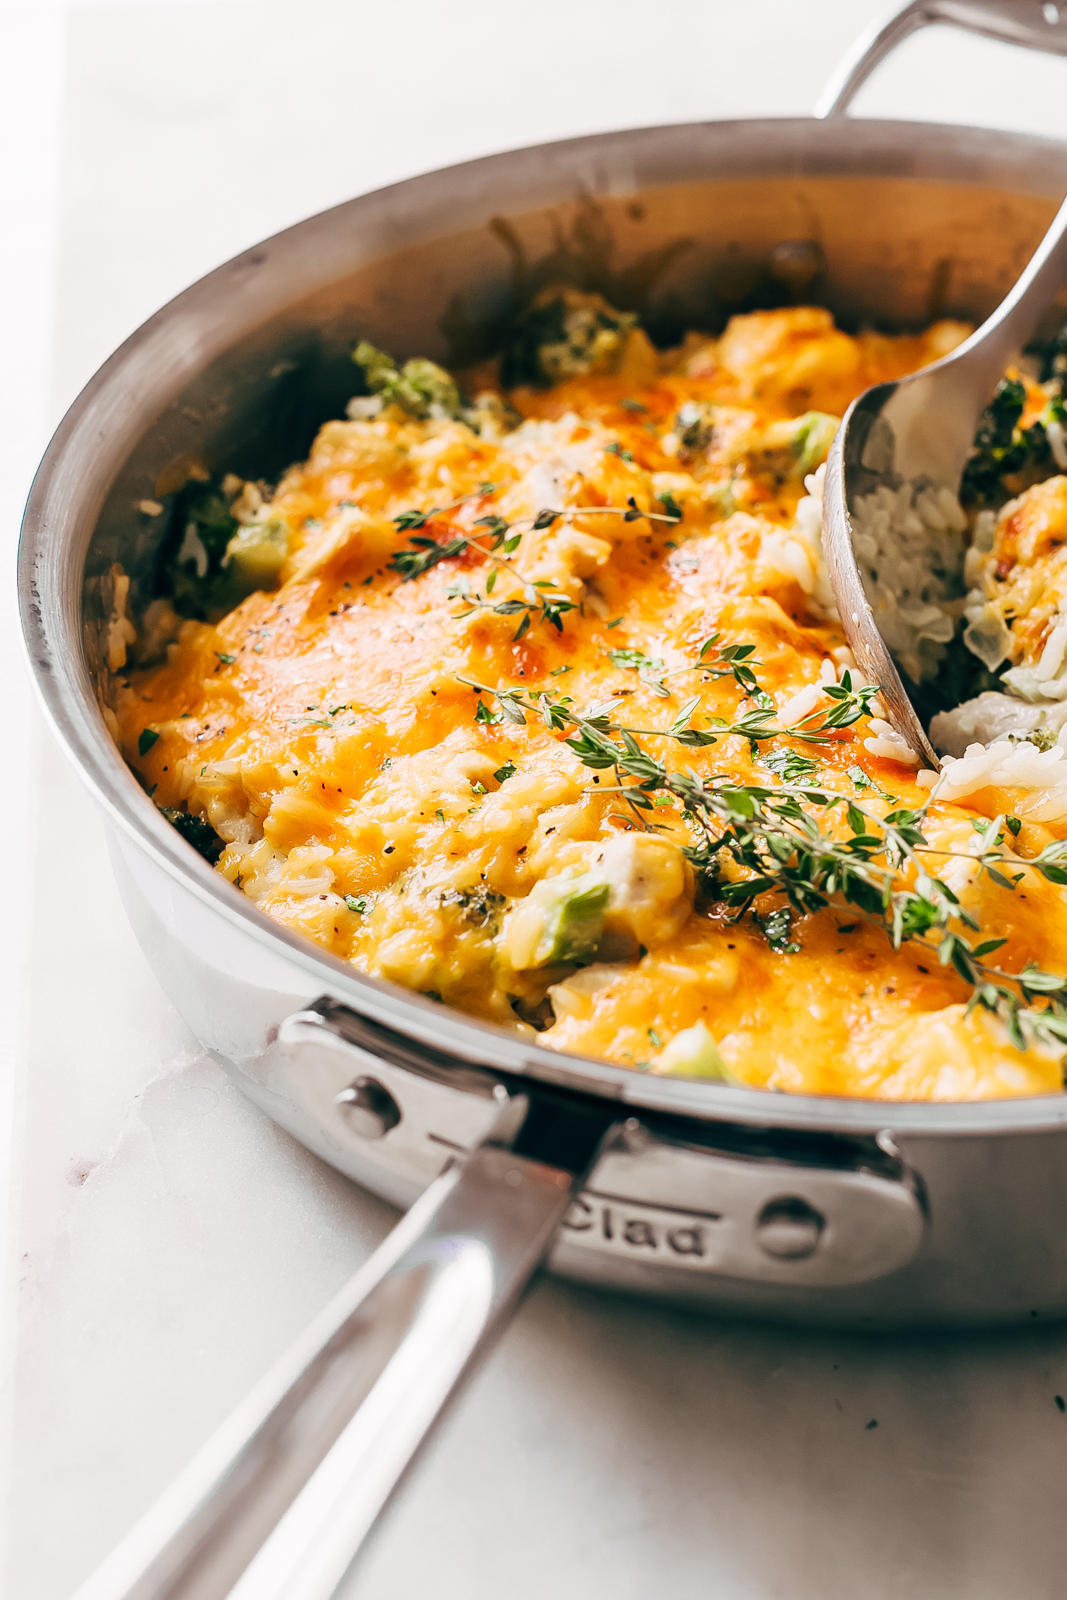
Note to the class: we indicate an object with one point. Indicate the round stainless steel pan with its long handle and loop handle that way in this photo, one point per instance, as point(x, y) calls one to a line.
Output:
point(741, 1202)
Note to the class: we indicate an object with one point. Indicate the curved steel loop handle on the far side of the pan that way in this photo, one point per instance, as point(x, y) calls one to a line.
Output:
point(1012, 22)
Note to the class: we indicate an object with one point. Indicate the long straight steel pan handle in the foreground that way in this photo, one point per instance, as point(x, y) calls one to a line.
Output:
point(279, 1503)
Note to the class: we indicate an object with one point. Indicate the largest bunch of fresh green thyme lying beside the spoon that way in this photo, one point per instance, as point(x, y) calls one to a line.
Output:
point(777, 841)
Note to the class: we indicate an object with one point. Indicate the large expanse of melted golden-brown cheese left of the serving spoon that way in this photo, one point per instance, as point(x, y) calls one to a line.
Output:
point(326, 730)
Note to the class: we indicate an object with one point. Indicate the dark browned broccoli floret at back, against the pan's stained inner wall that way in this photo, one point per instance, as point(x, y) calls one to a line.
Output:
point(564, 334)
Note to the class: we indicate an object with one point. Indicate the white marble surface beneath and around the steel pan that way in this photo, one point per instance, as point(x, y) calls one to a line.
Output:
point(167, 1239)
